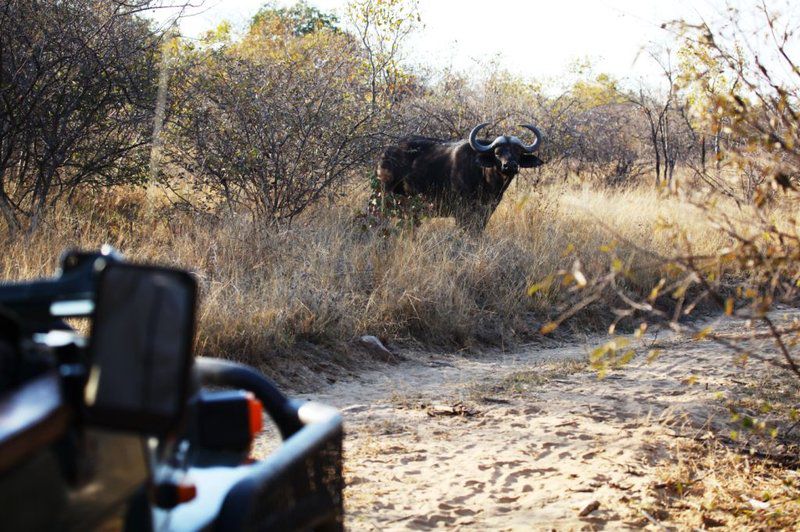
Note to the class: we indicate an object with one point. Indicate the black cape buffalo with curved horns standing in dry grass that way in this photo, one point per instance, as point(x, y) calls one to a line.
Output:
point(465, 179)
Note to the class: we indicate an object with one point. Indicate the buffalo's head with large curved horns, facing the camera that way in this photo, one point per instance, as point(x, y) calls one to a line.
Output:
point(507, 154)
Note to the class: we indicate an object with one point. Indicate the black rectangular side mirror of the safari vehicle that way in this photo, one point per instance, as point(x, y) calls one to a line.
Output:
point(140, 348)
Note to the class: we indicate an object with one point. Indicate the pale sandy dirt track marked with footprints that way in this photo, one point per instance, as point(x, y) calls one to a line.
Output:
point(518, 441)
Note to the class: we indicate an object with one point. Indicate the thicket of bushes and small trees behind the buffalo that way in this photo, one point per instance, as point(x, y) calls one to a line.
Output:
point(285, 115)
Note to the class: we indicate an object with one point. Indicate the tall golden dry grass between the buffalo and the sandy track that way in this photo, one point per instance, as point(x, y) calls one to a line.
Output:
point(301, 293)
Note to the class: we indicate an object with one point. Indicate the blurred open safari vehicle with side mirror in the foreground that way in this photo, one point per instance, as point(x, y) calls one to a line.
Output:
point(124, 429)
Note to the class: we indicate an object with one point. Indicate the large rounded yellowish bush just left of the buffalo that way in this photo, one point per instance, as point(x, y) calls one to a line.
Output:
point(271, 123)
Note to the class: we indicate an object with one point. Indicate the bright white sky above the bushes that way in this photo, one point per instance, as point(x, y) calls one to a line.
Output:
point(534, 39)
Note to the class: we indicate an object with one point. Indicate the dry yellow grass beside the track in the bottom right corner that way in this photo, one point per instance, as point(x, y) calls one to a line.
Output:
point(751, 482)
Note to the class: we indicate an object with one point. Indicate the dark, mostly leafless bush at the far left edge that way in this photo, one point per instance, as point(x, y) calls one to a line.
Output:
point(78, 83)
